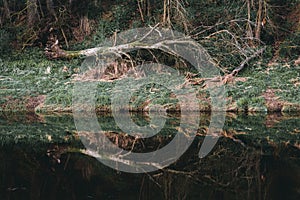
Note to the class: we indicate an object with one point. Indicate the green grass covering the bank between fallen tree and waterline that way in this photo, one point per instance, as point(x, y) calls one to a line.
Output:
point(30, 74)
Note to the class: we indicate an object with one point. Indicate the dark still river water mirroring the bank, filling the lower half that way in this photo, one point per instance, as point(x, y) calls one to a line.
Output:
point(46, 157)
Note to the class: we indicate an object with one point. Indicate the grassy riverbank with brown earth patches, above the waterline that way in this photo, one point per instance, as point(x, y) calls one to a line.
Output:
point(31, 83)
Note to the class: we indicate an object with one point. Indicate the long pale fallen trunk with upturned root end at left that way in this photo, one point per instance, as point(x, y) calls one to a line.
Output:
point(150, 41)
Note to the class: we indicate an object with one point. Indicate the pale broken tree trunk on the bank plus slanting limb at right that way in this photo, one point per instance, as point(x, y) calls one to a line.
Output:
point(146, 41)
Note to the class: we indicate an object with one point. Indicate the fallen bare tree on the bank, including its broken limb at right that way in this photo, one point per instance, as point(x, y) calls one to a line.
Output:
point(152, 38)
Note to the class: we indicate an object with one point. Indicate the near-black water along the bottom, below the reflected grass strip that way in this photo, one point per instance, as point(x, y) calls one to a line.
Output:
point(230, 172)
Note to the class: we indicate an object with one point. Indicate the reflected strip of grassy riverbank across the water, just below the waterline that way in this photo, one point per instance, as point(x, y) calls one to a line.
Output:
point(253, 130)
